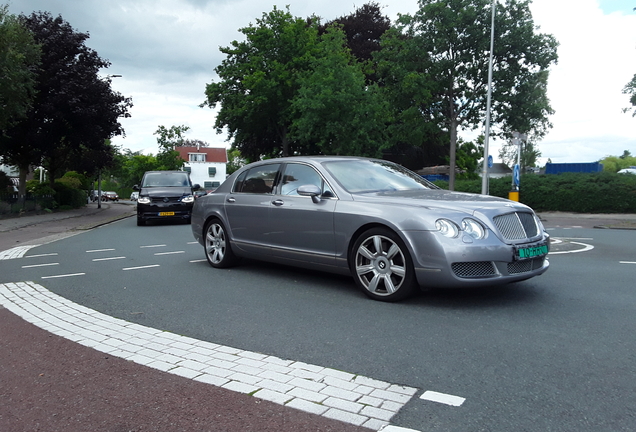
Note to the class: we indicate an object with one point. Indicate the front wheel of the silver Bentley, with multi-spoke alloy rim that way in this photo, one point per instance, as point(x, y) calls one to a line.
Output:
point(382, 266)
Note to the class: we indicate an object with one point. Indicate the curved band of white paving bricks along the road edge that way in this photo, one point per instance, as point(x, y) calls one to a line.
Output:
point(315, 389)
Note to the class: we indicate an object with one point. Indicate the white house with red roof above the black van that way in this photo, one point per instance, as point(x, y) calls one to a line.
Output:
point(206, 165)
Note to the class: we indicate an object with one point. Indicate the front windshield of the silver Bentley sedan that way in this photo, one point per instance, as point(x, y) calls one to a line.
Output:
point(358, 176)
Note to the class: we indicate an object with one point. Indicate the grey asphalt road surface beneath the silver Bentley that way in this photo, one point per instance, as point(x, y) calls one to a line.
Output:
point(555, 353)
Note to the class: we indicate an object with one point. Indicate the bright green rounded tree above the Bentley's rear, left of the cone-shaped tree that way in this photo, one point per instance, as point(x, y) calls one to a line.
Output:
point(258, 80)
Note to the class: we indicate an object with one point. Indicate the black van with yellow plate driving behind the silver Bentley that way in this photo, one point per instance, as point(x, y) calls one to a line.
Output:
point(165, 195)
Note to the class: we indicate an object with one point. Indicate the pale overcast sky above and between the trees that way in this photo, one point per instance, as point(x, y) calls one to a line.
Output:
point(166, 52)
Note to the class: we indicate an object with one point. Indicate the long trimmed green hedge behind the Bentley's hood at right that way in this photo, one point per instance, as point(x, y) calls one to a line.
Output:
point(567, 192)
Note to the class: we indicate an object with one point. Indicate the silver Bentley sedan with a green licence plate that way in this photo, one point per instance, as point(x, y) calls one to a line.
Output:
point(389, 228)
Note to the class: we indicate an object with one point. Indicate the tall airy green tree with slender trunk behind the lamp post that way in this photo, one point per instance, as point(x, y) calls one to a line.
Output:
point(456, 36)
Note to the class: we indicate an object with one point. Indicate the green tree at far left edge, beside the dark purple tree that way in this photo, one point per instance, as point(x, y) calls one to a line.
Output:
point(19, 57)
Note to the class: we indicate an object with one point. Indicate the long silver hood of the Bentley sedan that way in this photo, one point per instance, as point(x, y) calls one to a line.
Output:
point(444, 200)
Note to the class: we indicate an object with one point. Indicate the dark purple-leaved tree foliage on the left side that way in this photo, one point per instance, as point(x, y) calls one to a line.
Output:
point(74, 110)
